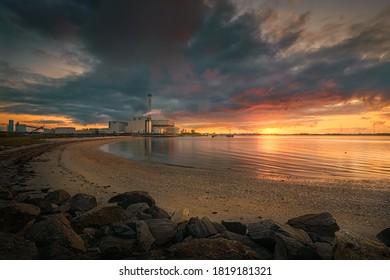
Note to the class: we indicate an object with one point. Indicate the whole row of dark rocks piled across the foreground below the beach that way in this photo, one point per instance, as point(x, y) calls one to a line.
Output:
point(52, 224)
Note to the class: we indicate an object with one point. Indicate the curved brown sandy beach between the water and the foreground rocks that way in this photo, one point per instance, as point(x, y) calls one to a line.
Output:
point(360, 206)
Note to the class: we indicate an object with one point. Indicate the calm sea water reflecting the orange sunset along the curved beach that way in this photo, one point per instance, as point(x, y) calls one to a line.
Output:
point(345, 157)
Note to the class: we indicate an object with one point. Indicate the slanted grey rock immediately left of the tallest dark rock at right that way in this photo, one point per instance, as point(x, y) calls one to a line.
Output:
point(264, 232)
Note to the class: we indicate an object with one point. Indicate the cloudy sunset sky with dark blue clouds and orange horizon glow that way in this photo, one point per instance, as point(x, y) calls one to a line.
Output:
point(245, 66)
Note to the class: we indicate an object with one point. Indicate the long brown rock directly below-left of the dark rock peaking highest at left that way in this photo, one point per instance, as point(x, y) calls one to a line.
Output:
point(98, 217)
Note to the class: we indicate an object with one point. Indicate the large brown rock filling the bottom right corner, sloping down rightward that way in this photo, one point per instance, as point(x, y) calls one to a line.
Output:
point(350, 246)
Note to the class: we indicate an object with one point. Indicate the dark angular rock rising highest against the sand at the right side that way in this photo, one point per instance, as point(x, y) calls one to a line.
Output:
point(321, 227)
